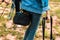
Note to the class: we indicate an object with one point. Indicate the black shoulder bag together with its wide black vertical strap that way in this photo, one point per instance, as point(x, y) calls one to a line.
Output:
point(21, 18)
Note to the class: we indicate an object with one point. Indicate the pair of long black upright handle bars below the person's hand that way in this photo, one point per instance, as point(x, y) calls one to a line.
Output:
point(43, 27)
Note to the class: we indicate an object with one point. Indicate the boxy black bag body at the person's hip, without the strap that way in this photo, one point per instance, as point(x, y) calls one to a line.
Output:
point(21, 19)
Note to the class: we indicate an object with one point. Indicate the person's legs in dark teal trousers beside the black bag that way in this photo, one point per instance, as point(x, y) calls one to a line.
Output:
point(29, 35)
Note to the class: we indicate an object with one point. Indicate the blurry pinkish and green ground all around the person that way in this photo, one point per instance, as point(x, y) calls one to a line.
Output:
point(10, 31)
